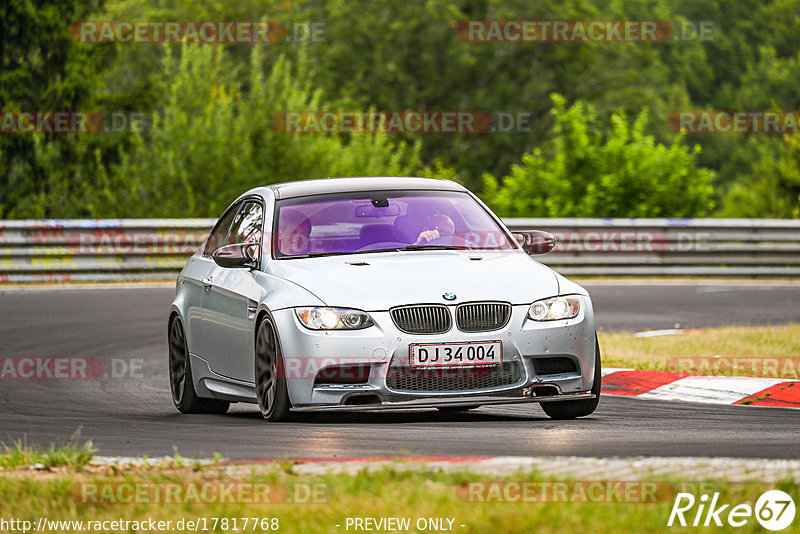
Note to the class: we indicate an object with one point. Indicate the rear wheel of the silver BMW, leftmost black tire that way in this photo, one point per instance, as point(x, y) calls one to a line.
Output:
point(180, 376)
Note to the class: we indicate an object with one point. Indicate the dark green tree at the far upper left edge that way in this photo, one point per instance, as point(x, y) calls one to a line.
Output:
point(41, 69)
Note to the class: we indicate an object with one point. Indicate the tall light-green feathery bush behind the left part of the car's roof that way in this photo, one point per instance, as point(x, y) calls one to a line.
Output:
point(215, 140)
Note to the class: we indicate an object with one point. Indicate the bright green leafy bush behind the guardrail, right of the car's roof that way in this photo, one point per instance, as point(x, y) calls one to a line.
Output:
point(586, 170)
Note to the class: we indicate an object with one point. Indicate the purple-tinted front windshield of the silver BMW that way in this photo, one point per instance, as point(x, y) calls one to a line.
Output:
point(379, 221)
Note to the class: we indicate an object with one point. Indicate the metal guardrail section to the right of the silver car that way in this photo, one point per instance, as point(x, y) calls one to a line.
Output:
point(672, 247)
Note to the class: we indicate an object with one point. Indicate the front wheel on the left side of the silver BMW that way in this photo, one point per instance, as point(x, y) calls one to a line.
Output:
point(271, 389)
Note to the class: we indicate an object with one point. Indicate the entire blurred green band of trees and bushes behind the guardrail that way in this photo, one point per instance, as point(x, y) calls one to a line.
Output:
point(598, 143)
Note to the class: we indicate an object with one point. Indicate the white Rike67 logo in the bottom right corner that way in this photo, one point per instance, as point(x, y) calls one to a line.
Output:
point(774, 510)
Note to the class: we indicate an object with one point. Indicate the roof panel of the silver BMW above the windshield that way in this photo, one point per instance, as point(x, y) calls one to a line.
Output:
point(303, 188)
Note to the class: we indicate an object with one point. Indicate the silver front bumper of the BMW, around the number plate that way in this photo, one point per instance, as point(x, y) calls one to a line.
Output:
point(385, 348)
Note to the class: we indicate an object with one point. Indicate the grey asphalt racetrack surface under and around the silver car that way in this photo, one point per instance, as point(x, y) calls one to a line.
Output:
point(133, 414)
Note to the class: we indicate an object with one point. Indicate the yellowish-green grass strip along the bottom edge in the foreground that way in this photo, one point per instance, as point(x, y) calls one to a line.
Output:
point(319, 504)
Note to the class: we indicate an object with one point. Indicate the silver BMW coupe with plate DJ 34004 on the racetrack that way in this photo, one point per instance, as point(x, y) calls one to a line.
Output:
point(374, 294)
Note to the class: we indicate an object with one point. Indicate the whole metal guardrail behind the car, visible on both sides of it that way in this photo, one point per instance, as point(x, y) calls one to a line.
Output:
point(156, 249)
